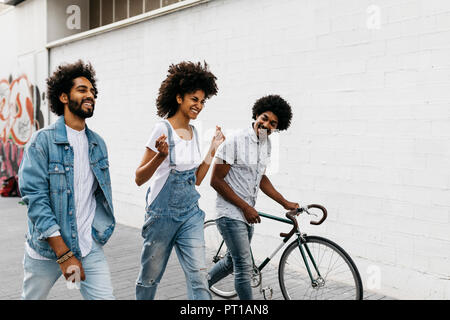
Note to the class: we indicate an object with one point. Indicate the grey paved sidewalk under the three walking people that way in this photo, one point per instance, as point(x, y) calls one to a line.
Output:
point(123, 255)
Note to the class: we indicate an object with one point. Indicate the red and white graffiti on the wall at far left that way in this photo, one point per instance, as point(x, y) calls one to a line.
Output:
point(20, 116)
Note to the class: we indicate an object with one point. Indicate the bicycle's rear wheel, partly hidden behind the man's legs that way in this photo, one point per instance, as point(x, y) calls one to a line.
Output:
point(216, 250)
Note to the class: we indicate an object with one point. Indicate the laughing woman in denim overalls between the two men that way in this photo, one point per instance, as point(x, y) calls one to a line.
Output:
point(173, 164)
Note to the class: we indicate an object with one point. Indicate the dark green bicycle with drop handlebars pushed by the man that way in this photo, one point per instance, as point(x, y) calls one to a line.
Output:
point(310, 267)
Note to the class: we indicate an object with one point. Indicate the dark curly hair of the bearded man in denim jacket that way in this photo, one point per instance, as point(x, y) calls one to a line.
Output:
point(61, 81)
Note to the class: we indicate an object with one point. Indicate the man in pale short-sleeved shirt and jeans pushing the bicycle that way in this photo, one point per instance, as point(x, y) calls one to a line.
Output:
point(238, 173)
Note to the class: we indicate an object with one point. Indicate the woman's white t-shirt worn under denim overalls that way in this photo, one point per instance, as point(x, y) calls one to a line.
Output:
point(187, 156)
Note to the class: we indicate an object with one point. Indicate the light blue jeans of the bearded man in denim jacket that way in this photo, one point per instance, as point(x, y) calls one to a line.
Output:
point(41, 275)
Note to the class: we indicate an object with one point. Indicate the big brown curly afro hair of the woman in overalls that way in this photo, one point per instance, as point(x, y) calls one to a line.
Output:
point(184, 77)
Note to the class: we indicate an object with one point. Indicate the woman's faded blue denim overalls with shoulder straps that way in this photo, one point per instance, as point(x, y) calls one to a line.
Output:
point(174, 219)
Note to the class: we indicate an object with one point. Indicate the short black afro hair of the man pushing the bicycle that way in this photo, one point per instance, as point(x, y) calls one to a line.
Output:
point(278, 106)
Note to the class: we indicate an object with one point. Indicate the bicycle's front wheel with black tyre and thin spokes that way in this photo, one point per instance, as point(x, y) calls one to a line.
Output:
point(331, 274)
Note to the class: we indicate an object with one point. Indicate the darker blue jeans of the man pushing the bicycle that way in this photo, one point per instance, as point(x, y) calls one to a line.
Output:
point(237, 236)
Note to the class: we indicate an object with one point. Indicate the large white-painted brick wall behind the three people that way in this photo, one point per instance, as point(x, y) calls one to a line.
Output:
point(371, 130)
